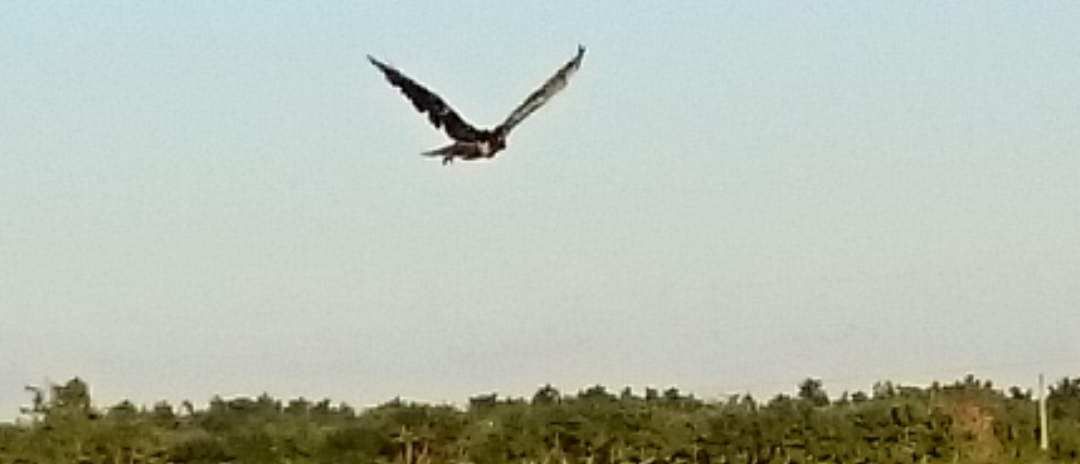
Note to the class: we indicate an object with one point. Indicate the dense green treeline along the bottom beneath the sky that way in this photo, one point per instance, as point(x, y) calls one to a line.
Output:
point(966, 421)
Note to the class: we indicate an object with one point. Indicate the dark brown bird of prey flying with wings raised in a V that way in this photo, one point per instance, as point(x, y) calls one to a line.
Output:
point(469, 142)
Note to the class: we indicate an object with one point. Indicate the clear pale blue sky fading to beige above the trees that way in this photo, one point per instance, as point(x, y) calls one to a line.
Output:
point(208, 198)
